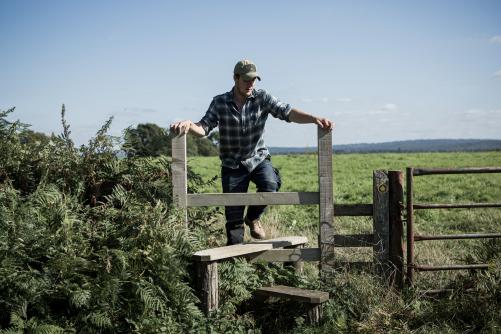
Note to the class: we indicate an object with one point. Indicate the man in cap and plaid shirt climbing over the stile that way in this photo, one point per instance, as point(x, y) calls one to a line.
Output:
point(241, 115)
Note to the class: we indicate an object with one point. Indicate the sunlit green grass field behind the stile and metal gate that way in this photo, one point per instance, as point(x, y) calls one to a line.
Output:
point(352, 175)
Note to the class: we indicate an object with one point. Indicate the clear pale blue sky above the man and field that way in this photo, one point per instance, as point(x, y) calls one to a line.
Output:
point(383, 70)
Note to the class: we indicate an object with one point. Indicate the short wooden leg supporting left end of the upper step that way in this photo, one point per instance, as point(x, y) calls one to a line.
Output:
point(208, 281)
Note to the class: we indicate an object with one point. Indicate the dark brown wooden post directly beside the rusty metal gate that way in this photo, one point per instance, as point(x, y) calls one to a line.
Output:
point(396, 179)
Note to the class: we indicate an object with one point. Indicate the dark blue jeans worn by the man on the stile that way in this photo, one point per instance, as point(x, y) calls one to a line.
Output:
point(265, 177)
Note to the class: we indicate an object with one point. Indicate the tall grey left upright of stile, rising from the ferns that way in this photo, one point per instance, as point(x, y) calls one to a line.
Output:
point(179, 170)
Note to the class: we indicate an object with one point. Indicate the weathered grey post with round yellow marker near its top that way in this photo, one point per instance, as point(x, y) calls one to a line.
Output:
point(381, 219)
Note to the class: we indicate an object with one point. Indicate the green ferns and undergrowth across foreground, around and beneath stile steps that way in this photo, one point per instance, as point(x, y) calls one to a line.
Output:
point(91, 243)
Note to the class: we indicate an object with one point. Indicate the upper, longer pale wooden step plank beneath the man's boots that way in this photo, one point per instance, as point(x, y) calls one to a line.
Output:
point(225, 252)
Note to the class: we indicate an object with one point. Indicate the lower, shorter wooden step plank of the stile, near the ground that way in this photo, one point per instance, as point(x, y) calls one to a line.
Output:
point(302, 295)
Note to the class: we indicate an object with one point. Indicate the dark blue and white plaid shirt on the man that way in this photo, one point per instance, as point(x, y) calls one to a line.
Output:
point(241, 132)
